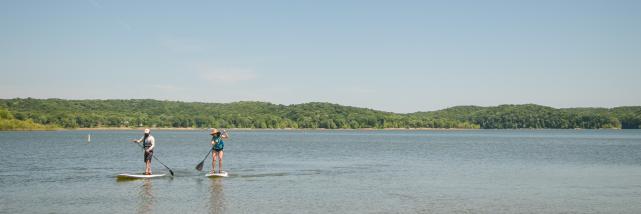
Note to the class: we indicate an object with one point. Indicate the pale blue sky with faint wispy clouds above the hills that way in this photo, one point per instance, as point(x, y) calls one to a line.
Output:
point(400, 56)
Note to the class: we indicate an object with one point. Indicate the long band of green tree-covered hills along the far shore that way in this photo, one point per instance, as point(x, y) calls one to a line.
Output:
point(49, 113)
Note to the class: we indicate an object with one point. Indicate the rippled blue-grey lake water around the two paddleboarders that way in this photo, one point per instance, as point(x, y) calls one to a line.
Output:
point(472, 171)
